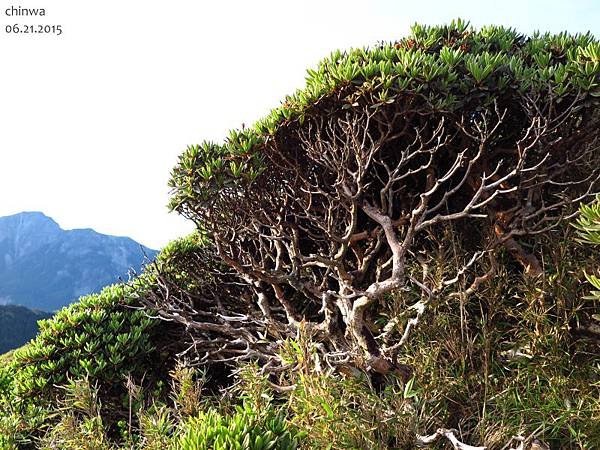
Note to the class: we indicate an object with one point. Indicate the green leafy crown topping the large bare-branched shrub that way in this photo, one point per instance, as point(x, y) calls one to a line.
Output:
point(448, 66)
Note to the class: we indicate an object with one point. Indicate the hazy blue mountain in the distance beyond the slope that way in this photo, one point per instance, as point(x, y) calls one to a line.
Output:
point(45, 267)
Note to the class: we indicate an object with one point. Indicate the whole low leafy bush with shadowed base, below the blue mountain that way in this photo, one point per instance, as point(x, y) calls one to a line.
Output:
point(104, 339)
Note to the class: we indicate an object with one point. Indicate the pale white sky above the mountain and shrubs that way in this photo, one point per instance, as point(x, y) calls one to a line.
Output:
point(91, 122)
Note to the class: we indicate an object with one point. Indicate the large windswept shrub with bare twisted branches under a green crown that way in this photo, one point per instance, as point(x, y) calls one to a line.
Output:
point(340, 196)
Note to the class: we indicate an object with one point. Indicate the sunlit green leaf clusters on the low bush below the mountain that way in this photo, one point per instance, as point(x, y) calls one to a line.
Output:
point(97, 337)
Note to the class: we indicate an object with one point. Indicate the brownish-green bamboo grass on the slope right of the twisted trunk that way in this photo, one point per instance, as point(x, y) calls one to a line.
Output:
point(510, 360)
